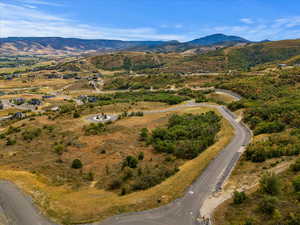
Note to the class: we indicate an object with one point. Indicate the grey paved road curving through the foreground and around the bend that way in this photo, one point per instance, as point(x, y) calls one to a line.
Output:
point(183, 211)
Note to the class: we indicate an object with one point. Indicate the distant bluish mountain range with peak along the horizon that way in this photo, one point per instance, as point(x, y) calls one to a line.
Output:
point(48, 45)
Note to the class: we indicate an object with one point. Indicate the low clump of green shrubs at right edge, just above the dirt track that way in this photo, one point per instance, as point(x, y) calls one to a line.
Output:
point(275, 146)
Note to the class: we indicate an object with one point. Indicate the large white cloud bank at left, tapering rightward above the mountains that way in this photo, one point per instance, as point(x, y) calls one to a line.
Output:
point(24, 21)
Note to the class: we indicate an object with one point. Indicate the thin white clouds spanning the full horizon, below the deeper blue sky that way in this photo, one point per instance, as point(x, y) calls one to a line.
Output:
point(28, 20)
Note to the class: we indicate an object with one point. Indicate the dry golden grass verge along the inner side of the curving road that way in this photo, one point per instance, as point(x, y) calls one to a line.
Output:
point(90, 204)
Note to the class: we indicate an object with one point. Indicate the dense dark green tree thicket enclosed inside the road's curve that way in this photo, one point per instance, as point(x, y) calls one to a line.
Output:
point(186, 136)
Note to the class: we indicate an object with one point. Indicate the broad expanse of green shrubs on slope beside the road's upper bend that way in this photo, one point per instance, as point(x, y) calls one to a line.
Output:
point(271, 101)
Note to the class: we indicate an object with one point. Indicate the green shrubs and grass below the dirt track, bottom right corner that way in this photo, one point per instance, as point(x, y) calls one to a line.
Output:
point(275, 202)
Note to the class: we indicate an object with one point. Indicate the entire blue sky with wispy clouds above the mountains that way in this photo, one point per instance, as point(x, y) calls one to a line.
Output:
point(151, 19)
